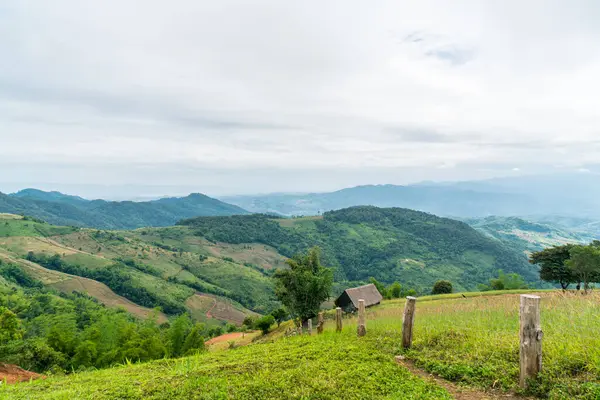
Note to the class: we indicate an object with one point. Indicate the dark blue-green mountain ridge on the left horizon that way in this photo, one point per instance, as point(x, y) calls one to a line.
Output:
point(61, 209)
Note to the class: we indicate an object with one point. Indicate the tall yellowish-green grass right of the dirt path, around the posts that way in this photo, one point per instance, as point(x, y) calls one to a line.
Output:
point(475, 340)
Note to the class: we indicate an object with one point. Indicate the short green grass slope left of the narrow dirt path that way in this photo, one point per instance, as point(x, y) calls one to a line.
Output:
point(330, 366)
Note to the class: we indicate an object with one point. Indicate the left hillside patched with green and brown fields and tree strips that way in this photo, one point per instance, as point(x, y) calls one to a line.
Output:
point(122, 270)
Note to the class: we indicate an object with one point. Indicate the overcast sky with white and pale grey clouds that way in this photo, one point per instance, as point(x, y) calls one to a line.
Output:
point(124, 98)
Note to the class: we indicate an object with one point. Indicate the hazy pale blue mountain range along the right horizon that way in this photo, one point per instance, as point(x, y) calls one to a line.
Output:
point(568, 195)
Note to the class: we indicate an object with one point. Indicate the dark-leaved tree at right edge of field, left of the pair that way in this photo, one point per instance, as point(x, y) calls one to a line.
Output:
point(552, 263)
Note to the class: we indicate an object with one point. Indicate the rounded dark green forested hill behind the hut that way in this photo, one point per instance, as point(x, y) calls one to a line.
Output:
point(412, 247)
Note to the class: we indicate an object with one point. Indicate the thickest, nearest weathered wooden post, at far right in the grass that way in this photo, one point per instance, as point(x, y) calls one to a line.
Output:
point(530, 332)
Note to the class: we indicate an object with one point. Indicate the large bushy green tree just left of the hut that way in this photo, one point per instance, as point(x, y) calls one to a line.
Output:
point(304, 286)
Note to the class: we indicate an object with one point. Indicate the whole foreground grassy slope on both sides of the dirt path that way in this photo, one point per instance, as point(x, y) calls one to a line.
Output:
point(471, 341)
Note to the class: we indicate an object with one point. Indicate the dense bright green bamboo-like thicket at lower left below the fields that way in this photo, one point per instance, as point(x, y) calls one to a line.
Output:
point(43, 330)
